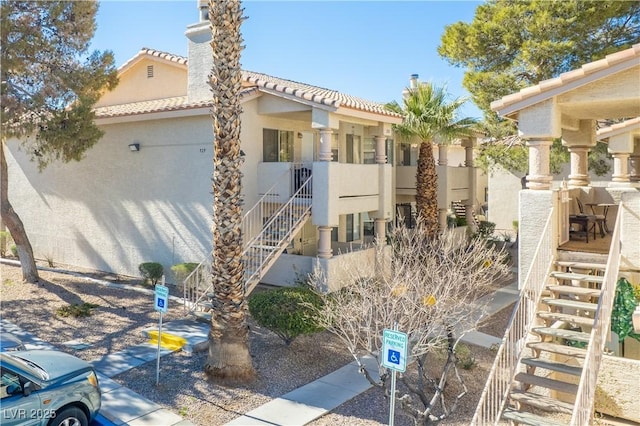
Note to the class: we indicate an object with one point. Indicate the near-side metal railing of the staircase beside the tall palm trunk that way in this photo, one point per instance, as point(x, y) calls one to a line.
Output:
point(276, 234)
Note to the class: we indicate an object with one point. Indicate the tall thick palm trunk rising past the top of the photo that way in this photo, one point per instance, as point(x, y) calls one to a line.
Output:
point(229, 356)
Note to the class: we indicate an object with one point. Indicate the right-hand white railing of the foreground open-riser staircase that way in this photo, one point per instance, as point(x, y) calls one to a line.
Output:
point(583, 406)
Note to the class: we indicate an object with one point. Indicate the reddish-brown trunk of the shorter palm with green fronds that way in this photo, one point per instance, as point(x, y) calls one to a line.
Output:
point(427, 189)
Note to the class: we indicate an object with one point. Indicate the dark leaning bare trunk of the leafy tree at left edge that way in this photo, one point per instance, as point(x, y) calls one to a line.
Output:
point(15, 226)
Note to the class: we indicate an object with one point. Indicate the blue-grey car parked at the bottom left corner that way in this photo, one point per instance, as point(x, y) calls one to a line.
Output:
point(47, 388)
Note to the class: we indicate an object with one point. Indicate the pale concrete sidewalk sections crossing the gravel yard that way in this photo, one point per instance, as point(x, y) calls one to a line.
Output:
point(121, 406)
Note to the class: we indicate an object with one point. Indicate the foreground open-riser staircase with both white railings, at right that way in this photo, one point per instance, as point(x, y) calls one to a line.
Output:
point(546, 368)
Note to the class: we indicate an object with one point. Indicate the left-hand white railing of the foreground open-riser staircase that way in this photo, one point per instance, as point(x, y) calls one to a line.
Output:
point(496, 391)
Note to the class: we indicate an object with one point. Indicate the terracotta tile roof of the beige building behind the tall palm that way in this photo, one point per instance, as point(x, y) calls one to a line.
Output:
point(263, 82)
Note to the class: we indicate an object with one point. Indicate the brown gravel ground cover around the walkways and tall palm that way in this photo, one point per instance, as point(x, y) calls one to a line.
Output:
point(121, 315)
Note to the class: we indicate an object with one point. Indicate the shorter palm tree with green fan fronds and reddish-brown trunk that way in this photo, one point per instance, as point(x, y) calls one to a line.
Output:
point(429, 114)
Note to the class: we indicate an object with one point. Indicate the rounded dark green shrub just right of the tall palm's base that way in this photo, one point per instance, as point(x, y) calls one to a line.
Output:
point(289, 311)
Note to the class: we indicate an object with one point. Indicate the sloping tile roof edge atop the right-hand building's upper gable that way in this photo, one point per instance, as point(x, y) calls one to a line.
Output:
point(568, 77)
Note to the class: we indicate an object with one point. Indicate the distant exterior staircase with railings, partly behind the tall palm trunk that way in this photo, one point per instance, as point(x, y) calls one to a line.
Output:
point(268, 229)
